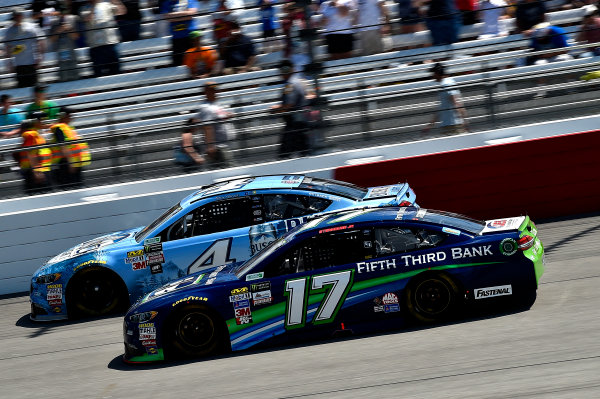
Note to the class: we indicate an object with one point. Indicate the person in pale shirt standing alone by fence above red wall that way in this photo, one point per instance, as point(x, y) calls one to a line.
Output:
point(452, 114)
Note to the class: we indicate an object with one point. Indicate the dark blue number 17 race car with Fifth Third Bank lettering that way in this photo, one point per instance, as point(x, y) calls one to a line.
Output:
point(349, 271)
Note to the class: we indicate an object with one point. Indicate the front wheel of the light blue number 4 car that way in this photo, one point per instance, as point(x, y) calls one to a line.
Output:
point(96, 291)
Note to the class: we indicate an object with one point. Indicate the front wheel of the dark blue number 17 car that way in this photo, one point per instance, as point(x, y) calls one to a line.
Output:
point(193, 331)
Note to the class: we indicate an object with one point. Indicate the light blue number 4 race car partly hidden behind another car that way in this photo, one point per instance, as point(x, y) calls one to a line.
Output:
point(217, 225)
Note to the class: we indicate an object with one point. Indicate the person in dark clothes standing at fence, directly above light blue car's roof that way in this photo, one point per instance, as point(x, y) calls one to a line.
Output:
point(293, 107)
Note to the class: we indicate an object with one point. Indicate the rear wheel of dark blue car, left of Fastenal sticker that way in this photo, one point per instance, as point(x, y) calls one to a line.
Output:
point(431, 297)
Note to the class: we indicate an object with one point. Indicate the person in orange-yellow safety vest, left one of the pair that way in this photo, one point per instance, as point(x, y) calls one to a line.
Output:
point(34, 164)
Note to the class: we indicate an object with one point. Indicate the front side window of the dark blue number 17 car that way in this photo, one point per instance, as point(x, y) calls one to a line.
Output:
point(320, 251)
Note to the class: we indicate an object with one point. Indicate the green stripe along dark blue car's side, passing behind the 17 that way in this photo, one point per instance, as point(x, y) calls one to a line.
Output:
point(278, 310)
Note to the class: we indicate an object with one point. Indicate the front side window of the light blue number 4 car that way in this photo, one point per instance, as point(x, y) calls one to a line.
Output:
point(211, 218)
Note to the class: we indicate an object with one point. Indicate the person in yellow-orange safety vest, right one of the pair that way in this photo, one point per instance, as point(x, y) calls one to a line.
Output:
point(68, 159)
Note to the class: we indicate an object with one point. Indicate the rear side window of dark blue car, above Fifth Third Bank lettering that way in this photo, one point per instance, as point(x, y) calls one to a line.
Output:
point(393, 240)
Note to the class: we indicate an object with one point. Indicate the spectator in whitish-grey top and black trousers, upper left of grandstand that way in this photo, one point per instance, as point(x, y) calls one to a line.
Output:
point(101, 35)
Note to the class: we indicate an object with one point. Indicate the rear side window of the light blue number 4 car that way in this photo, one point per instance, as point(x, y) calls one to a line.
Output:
point(285, 206)
